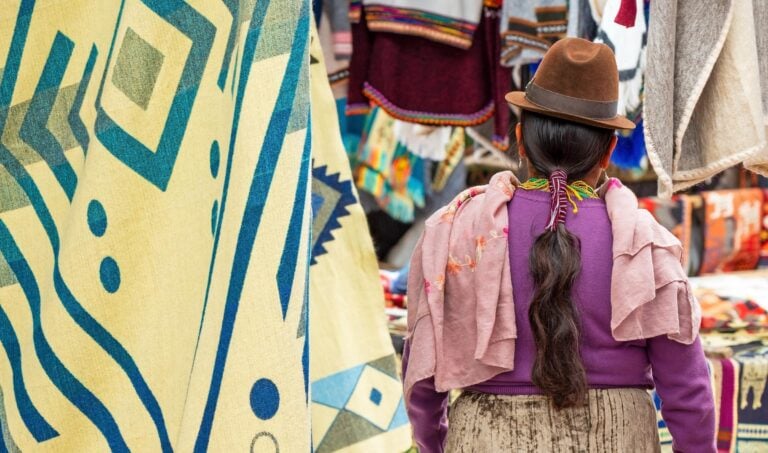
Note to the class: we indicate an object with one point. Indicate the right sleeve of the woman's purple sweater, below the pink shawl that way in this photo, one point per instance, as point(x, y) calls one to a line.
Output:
point(687, 402)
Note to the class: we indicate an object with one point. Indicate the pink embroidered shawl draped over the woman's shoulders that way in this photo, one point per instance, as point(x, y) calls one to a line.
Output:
point(461, 317)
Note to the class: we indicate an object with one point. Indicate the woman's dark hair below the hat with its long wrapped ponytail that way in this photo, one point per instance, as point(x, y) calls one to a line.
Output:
point(562, 151)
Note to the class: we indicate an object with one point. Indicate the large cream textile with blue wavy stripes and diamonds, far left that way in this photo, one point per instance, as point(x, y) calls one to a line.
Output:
point(154, 225)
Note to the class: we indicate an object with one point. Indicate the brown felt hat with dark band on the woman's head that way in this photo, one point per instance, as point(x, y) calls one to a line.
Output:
point(578, 81)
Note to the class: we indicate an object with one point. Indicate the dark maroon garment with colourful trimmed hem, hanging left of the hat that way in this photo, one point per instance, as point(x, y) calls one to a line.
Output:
point(425, 82)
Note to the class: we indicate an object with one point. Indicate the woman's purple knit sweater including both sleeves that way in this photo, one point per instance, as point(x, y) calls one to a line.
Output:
point(679, 375)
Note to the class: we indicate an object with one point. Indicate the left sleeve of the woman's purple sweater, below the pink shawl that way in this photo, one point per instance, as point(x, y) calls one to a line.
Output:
point(428, 411)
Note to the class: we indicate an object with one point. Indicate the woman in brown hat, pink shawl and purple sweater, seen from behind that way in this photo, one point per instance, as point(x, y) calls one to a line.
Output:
point(556, 331)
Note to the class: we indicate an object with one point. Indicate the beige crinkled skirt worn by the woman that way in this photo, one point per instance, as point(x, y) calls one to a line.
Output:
point(616, 420)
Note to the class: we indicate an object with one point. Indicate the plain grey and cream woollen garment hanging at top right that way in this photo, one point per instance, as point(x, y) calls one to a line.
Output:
point(705, 112)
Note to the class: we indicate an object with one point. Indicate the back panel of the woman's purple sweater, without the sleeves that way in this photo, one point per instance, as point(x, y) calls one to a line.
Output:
point(608, 363)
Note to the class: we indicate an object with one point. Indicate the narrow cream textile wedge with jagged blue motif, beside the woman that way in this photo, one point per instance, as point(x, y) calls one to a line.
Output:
point(357, 397)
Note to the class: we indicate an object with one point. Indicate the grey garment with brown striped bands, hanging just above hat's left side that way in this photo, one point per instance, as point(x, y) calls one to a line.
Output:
point(529, 28)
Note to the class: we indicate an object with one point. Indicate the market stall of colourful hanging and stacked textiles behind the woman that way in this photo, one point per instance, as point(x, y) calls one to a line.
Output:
point(425, 118)
